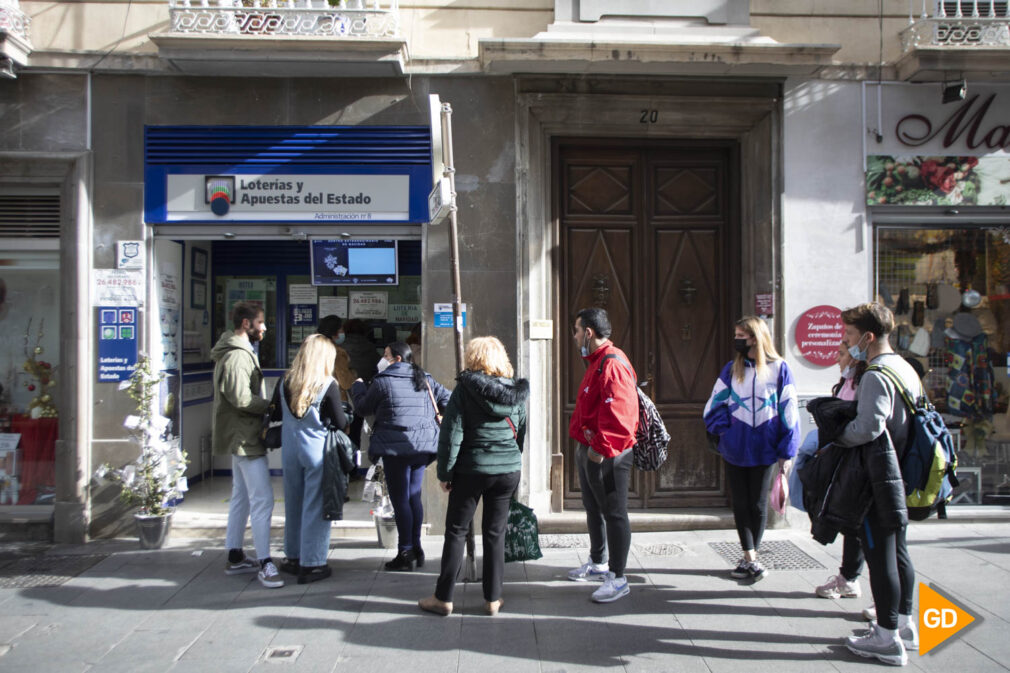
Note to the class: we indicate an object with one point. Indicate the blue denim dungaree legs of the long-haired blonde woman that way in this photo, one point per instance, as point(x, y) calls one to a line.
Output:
point(307, 533)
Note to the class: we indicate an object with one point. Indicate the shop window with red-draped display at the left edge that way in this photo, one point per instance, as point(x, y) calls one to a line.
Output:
point(31, 375)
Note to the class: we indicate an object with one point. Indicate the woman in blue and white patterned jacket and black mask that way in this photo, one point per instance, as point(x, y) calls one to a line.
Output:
point(753, 410)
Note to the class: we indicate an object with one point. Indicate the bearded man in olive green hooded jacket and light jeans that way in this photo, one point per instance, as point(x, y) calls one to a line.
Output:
point(240, 405)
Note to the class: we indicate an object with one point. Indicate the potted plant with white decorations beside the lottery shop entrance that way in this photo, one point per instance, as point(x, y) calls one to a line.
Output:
point(155, 479)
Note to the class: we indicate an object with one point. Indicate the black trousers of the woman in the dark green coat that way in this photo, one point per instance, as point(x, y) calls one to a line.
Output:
point(468, 490)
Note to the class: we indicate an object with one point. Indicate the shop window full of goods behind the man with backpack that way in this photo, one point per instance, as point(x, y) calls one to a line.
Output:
point(950, 291)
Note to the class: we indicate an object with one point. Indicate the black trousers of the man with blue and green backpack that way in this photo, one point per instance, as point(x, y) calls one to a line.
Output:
point(892, 576)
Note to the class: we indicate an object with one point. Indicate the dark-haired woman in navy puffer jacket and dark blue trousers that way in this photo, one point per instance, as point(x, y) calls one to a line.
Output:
point(403, 400)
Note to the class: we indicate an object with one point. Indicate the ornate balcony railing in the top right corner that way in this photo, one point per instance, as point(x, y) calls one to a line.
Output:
point(958, 24)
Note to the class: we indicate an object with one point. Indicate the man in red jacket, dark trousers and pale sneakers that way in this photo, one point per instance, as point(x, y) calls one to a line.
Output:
point(604, 423)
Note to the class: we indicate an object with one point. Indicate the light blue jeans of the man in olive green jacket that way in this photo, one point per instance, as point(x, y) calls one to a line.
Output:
point(252, 498)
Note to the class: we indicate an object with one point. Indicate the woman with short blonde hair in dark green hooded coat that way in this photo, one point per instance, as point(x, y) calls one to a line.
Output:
point(480, 449)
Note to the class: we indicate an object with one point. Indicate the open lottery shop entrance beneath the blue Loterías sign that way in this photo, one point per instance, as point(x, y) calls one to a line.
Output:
point(195, 284)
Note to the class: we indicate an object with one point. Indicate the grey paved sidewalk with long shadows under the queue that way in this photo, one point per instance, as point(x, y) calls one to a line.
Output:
point(174, 610)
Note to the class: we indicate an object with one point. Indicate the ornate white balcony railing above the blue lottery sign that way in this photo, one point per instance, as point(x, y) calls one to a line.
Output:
point(361, 20)
